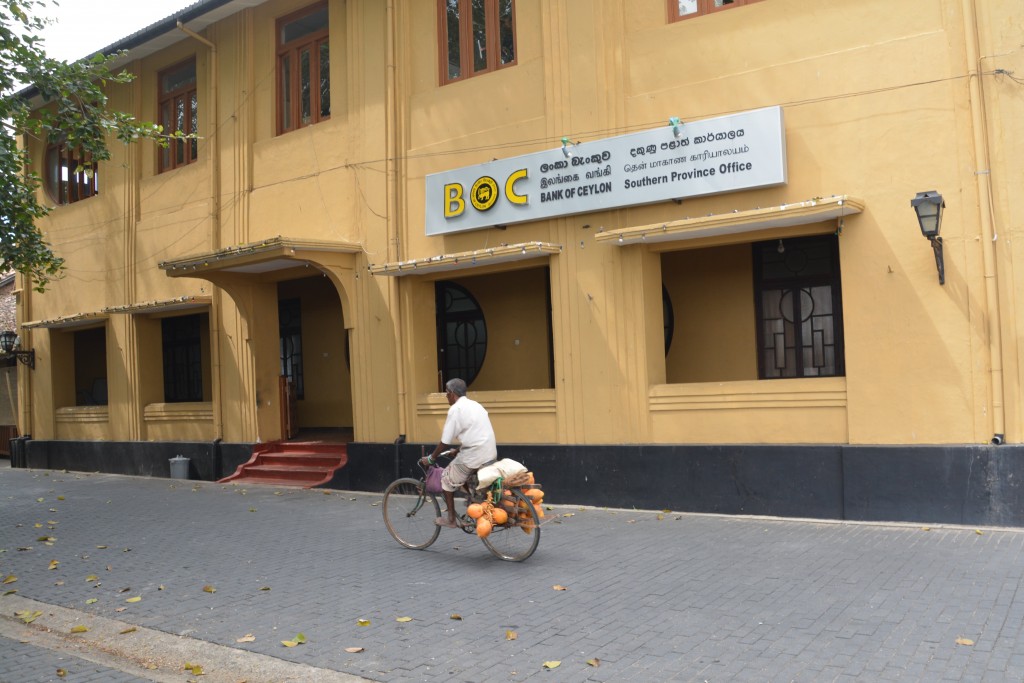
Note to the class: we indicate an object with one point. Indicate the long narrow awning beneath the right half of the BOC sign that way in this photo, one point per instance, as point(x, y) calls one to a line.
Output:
point(813, 211)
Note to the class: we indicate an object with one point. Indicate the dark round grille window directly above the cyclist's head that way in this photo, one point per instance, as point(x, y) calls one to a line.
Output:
point(462, 333)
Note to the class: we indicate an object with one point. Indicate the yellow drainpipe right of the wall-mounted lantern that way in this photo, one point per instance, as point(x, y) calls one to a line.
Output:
point(989, 233)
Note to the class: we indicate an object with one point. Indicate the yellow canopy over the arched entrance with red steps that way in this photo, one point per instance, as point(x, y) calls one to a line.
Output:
point(257, 258)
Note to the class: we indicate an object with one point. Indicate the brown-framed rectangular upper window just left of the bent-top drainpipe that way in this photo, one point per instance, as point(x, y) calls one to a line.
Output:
point(179, 109)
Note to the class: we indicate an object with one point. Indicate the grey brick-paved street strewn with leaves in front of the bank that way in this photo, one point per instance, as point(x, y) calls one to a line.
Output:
point(650, 596)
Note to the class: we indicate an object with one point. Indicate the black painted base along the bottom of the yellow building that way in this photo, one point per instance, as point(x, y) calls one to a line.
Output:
point(963, 485)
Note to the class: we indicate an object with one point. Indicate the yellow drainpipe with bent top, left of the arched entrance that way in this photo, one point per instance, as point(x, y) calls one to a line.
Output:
point(214, 145)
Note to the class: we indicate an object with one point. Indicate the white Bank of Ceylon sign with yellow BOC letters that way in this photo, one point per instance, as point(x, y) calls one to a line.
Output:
point(723, 155)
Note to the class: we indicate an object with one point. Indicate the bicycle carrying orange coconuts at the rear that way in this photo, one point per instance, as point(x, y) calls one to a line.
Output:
point(410, 511)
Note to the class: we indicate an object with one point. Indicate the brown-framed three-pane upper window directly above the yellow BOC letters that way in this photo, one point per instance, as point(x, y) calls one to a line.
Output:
point(476, 37)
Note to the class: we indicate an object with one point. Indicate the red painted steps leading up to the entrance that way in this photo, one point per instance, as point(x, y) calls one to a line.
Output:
point(305, 464)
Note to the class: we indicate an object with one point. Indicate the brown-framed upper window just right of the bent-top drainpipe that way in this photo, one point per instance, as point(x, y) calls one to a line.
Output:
point(304, 69)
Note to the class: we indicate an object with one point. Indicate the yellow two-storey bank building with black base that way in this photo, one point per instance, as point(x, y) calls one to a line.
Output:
point(557, 200)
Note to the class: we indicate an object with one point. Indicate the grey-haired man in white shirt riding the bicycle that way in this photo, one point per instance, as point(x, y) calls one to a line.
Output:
point(468, 429)
